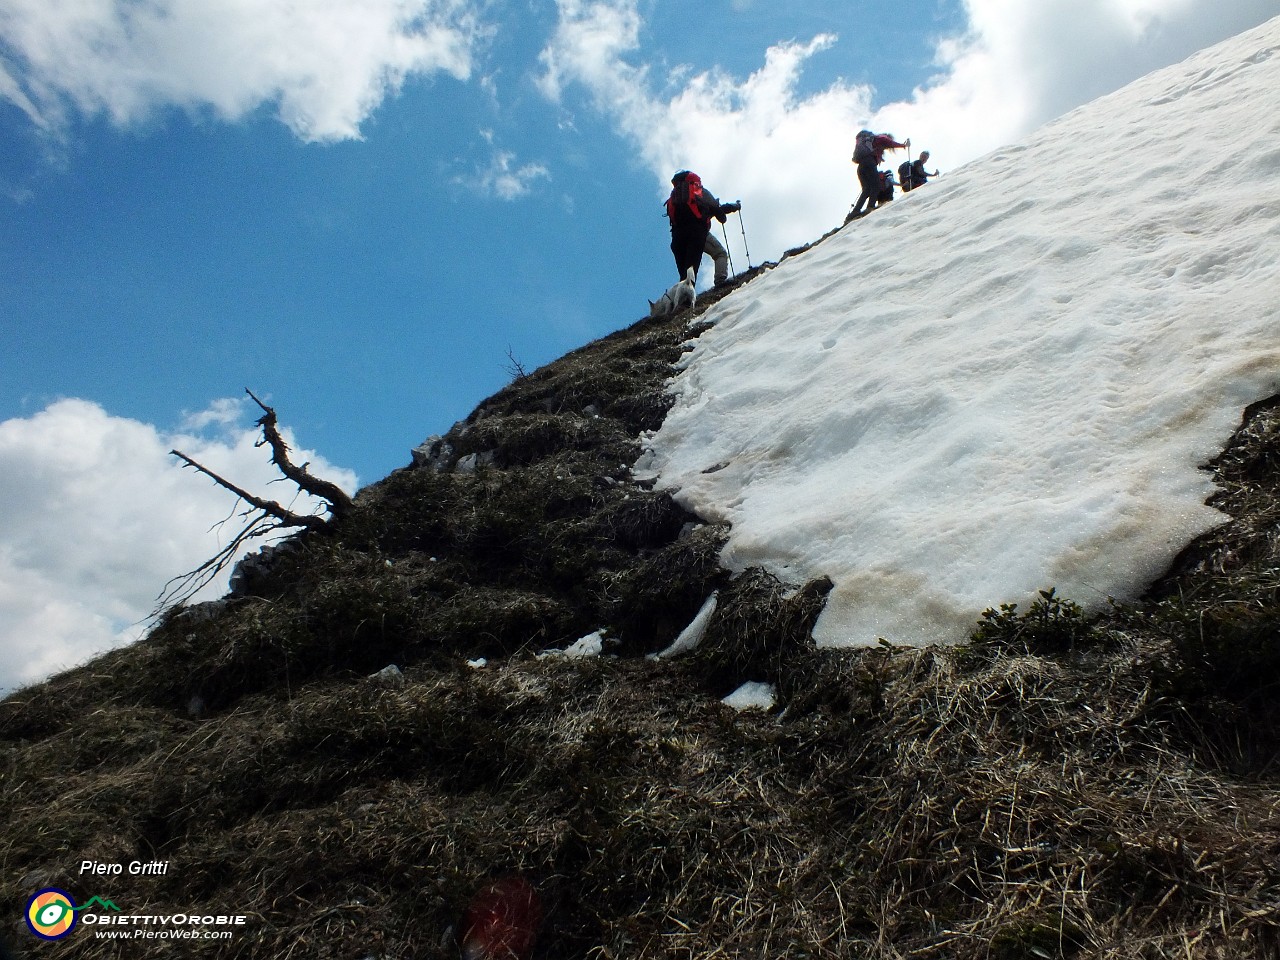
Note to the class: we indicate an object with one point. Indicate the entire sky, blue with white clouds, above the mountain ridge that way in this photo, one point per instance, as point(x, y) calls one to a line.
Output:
point(360, 208)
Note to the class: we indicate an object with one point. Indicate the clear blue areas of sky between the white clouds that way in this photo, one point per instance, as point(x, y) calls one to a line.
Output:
point(371, 287)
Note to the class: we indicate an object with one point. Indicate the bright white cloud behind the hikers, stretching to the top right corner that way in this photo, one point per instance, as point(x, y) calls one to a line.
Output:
point(1020, 65)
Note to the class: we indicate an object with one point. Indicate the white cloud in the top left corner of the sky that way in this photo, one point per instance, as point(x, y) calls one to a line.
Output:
point(326, 65)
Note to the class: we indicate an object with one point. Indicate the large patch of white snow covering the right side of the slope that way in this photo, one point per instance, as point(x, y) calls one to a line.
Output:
point(1008, 380)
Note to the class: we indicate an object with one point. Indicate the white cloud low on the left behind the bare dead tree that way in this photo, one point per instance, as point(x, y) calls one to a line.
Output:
point(99, 518)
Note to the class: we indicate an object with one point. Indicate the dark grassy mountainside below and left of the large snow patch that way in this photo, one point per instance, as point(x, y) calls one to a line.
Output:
point(1054, 789)
